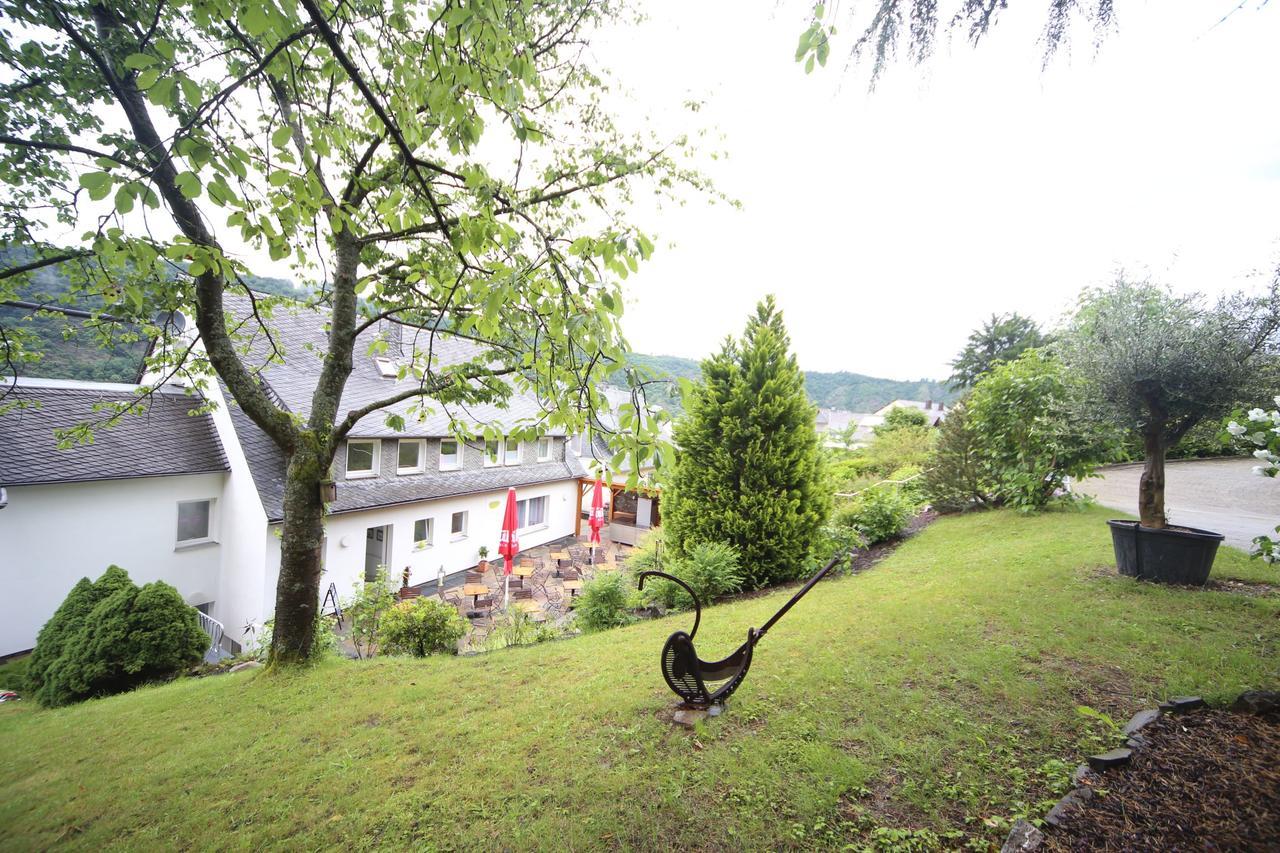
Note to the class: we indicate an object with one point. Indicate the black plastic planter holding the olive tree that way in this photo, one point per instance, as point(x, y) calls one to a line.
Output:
point(1168, 555)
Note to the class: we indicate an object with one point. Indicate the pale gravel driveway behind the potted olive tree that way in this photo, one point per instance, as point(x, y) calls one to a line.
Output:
point(1220, 495)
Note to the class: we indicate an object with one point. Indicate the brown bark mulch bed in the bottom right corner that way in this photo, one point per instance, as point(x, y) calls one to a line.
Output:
point(1205, 781)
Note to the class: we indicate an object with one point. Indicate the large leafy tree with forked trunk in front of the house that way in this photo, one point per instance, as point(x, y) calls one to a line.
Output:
point(447, 165)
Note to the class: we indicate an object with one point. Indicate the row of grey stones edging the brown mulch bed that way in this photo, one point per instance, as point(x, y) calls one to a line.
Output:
point(1026, 837)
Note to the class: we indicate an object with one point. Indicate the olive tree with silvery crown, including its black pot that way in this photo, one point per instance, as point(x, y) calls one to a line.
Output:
point(1156, 366)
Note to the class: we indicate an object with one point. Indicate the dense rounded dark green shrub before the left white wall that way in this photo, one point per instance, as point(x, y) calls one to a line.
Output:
point(127, 638)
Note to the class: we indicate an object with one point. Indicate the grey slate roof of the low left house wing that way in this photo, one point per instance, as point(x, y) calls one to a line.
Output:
point(164, 441)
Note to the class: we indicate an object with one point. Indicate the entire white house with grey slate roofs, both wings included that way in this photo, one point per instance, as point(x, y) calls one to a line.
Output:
point(420, 501)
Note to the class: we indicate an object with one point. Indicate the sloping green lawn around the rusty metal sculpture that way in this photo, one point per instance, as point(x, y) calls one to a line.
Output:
point(934, 695)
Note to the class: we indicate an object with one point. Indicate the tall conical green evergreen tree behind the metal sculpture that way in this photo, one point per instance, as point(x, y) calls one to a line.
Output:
point(749, 472)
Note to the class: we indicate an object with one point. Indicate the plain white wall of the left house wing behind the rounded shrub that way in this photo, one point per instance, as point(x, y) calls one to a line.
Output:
point(53, 536)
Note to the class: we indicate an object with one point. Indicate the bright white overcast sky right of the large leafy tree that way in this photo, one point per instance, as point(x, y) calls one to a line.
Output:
point(892, 223)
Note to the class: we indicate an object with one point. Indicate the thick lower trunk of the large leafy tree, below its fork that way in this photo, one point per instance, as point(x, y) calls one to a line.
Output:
point(298, 592)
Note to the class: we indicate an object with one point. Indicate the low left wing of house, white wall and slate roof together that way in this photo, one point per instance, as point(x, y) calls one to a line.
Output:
point(149, 496)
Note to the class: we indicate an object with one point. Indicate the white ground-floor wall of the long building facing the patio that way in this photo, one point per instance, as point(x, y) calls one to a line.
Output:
point(345, 535)
